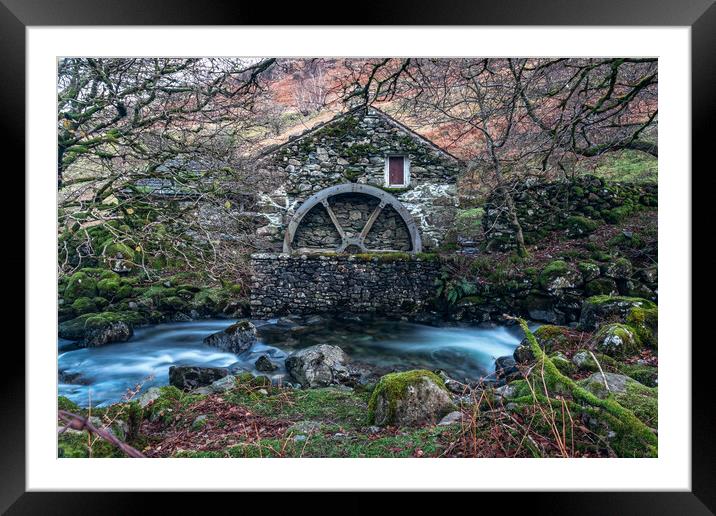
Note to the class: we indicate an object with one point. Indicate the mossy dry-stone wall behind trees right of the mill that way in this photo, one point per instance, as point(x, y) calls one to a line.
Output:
point(576, 205)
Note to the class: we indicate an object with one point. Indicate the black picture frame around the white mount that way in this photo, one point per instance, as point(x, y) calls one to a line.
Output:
point(700, 15)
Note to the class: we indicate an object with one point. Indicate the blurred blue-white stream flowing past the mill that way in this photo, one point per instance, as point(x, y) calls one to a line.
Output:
point(103, 375)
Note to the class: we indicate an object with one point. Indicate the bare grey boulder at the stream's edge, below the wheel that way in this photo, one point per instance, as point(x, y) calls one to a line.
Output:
point(318, 366)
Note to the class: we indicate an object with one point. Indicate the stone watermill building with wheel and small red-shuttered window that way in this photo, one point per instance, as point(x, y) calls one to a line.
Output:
point(358, 202)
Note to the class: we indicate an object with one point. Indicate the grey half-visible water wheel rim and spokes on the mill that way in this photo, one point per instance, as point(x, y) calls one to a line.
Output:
point(348, 242)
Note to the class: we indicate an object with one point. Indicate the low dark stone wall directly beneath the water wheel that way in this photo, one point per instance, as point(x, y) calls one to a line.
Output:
point(317, 284)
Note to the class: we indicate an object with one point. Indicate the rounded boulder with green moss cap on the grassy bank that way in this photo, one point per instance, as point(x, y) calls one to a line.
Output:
point(409, 399)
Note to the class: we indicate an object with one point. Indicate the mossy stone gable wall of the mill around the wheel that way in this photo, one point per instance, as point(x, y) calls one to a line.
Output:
point(353, 149)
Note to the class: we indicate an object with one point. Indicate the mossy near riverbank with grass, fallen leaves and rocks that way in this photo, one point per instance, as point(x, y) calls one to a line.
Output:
point(564, 393)
